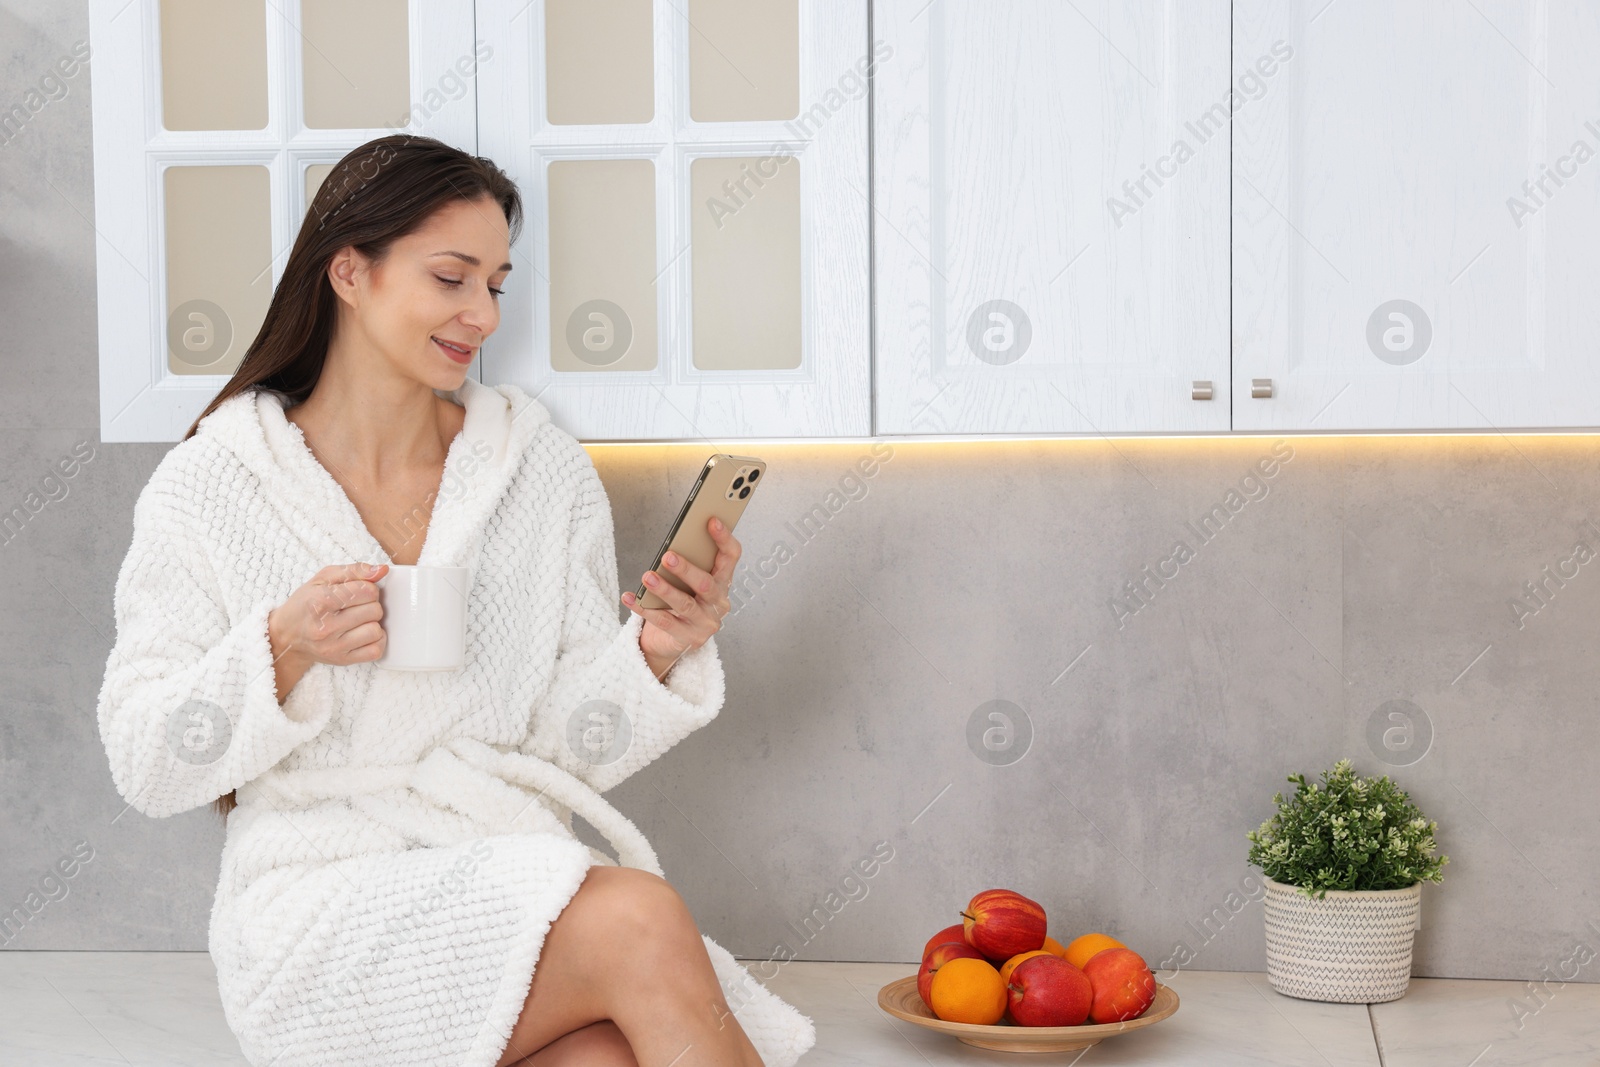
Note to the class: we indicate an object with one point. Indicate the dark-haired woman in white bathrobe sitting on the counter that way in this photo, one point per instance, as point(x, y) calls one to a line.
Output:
point(401, 882)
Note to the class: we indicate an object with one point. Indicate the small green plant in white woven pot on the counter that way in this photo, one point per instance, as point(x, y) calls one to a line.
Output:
point(1345, 866)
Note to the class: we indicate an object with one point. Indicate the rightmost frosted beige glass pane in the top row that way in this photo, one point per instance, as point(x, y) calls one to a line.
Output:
point(745, 60)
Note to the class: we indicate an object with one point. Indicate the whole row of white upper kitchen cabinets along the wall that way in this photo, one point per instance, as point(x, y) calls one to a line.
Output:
point(1340, 217)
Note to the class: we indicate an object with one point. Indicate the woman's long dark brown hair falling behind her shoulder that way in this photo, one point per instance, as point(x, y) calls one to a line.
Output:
point(377, 194)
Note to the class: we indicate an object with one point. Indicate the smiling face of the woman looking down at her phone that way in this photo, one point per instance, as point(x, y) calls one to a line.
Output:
point(436, 289)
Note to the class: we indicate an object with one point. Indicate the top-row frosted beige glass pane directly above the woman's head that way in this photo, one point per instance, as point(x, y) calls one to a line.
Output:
point(358, 65)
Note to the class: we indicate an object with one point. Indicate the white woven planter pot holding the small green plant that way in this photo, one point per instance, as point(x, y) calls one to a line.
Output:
point(1350, 948)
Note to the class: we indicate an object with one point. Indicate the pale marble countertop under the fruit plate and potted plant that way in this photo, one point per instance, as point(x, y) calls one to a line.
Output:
point(162, 1009)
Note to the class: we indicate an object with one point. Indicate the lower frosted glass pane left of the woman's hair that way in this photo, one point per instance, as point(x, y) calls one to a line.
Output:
point(218, 265)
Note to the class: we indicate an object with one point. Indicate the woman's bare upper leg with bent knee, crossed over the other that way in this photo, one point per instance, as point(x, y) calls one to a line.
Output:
point(626, 949)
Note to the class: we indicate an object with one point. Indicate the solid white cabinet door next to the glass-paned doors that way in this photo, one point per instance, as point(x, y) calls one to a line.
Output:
point(1052, 226)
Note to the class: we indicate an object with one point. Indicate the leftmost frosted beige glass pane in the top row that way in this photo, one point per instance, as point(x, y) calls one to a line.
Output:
point(214, 65)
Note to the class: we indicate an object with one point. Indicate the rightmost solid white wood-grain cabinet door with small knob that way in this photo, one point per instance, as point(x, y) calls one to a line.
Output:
point(1415, 217)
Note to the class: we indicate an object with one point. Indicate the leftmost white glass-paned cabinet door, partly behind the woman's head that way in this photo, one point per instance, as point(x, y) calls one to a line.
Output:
point(214, 127)
